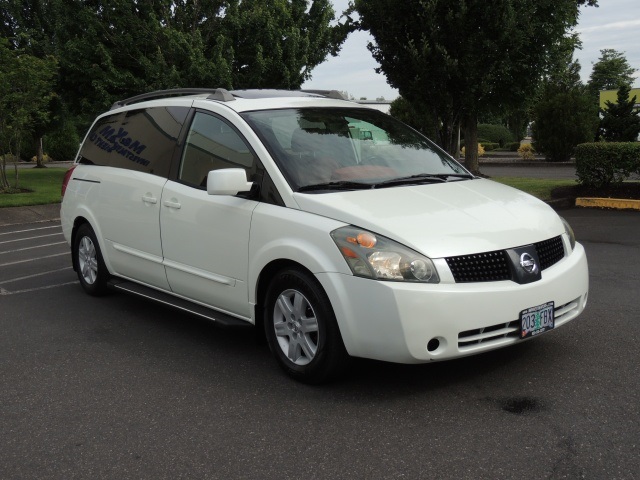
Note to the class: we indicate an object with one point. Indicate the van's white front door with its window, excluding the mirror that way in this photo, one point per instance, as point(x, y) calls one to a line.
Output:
point(205, 238)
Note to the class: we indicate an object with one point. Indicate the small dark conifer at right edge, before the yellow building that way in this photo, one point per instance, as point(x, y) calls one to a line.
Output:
point(621, 121)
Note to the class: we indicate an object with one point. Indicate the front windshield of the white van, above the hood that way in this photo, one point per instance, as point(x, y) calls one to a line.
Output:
point(320, 149)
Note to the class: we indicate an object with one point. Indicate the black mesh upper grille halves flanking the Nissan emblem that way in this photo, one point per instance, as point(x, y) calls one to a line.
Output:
point(494, 266)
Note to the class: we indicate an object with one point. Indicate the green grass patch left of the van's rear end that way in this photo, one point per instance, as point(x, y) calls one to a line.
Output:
point(44, 183)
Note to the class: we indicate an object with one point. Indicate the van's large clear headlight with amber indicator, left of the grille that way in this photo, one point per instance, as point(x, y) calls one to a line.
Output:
point(374, 256)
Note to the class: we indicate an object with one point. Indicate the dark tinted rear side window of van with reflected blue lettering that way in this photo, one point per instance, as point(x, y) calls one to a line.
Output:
point(141, 140)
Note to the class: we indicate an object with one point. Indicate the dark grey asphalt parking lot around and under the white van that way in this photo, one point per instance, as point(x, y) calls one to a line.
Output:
point(118, 387)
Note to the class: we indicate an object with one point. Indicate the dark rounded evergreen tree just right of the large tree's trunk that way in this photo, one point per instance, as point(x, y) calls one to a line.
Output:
point(563, 116)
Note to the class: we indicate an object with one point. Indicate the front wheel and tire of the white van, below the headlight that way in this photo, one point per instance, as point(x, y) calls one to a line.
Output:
point(301, 328)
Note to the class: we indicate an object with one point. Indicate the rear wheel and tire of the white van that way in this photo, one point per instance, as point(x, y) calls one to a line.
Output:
point(90, 267)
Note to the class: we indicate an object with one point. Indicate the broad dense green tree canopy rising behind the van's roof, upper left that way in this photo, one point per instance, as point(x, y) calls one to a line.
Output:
point(112, 49)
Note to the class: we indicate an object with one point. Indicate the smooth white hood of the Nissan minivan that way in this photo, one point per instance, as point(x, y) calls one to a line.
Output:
point(444, 219)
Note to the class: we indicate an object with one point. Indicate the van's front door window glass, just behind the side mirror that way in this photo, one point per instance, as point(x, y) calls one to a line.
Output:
point(213, 144)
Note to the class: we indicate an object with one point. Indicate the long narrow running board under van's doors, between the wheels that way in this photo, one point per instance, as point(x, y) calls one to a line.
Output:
point(177, 303)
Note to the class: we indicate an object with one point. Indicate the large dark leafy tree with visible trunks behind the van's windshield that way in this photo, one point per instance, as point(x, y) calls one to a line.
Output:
point(458, 59)
